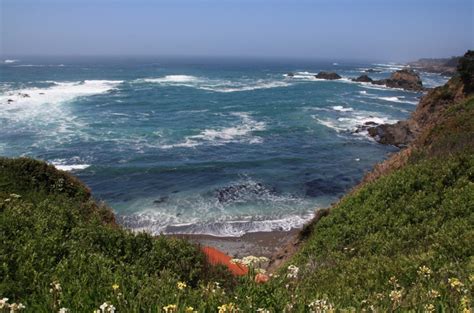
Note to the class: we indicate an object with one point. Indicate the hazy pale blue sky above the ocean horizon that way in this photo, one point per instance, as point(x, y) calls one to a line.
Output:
point(337, 29)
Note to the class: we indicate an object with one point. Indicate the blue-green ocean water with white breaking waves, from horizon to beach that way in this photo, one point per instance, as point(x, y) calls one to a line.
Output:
point(208, 146)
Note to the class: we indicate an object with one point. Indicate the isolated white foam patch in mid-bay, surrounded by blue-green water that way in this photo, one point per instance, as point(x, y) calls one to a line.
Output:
point(242, 132)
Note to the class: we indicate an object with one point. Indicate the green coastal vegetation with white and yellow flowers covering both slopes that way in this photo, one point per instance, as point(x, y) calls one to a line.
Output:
point(402, 240)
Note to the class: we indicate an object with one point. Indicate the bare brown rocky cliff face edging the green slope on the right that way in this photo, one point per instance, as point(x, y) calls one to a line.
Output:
point(430, 108)
